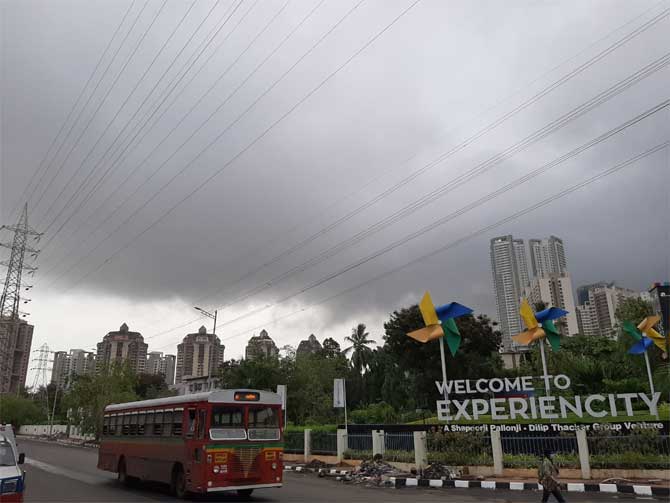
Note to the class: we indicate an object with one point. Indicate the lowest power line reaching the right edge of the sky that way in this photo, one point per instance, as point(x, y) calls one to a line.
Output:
point(472, 235)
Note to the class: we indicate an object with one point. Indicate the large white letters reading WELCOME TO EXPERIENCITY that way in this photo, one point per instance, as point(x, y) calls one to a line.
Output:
point(541, 407)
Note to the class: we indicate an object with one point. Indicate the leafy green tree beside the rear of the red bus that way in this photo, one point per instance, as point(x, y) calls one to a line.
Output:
point(89, 395)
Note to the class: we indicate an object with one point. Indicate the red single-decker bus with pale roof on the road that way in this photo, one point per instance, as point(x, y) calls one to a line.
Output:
point(224, 440)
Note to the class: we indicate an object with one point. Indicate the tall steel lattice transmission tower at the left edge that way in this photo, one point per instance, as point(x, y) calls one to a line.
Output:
point(11, 293)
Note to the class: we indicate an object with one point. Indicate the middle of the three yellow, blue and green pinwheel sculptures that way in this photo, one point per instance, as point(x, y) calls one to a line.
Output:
point(539, 326)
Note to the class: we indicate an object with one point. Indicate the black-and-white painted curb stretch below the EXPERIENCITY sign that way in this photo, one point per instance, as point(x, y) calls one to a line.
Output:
point(580, 487)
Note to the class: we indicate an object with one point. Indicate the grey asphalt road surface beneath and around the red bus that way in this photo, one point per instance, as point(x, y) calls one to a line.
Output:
point(58, 473)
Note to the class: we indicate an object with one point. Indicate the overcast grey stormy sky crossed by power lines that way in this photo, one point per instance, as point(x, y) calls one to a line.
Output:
point(440, 74)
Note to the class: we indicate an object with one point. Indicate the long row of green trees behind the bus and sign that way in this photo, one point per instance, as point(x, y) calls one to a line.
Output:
point(389, 378)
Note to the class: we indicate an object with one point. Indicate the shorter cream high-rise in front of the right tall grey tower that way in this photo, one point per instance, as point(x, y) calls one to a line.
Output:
point(556, 291)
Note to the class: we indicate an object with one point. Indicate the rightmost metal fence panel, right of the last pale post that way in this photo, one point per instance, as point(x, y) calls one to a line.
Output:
point(641, 450)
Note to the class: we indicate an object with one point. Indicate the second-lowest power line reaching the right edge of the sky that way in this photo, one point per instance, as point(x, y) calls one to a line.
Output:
point(455, 214)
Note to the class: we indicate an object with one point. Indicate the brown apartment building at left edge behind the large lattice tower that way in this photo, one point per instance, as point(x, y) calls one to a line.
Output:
point(17, 335)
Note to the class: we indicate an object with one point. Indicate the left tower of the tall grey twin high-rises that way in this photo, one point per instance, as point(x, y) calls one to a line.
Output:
point(510, 276)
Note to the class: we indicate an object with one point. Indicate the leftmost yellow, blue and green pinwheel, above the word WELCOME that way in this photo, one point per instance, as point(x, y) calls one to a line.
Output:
point(440, 325)
